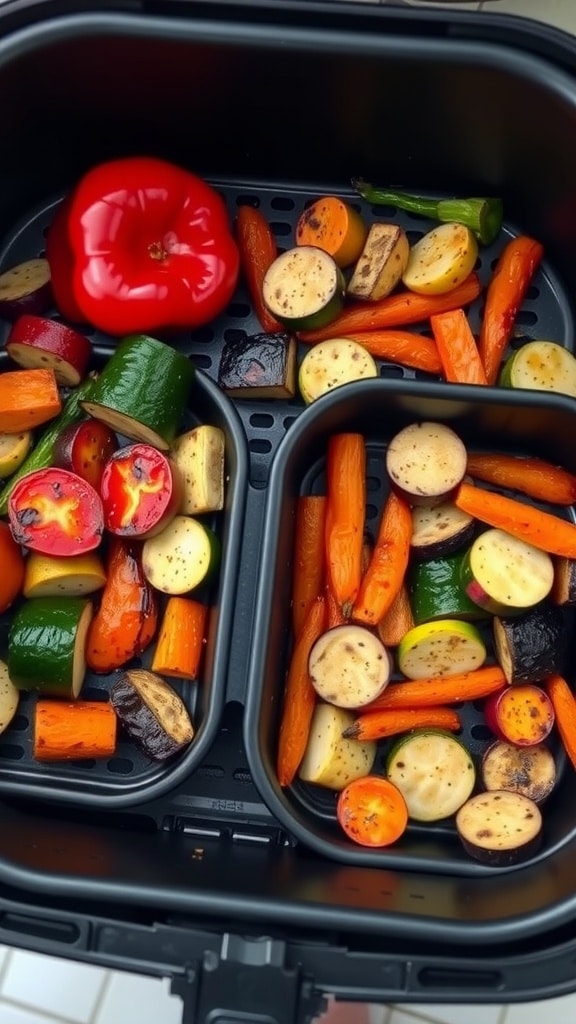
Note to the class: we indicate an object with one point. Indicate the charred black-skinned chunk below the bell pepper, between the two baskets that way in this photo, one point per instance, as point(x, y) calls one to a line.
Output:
point(260, 366)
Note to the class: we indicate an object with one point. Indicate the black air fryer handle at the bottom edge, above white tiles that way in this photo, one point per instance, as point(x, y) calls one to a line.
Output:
point(248, 982)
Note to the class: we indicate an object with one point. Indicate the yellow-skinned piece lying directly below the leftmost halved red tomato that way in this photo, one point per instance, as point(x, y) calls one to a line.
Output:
point(48, 576)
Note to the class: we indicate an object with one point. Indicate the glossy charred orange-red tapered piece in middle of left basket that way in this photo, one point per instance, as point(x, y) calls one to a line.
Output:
point(127, 620)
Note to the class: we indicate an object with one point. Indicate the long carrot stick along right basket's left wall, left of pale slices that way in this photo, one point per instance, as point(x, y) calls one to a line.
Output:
point(300, 697)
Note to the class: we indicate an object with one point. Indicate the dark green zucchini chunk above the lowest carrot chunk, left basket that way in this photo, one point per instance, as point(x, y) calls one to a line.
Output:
point(47, 646)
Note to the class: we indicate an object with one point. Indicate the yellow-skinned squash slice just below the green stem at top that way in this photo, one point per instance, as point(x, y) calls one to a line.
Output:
point(441, 261)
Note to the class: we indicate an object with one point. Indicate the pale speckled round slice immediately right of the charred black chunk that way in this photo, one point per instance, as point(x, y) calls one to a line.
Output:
point(332, 364)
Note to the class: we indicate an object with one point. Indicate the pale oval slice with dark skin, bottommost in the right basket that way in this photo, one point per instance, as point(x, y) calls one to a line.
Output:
point(500, 829)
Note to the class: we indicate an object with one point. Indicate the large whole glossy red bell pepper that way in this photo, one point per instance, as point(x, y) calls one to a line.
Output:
point(152, 246)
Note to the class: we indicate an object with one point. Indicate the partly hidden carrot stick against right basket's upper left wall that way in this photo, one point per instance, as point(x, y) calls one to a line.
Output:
point(308, 575)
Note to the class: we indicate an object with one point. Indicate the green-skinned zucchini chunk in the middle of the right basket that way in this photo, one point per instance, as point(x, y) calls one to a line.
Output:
point(438, 591)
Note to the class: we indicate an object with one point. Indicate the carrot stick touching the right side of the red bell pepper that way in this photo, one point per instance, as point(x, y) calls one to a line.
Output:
point(258, 251)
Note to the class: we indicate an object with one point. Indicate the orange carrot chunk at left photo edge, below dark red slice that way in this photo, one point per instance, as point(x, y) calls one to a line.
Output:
point(28, 399)
